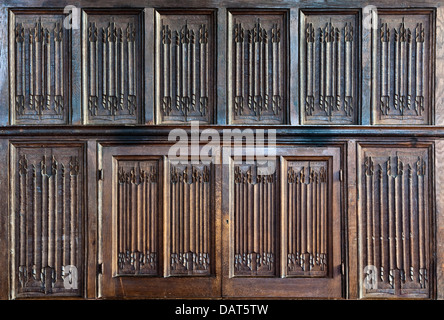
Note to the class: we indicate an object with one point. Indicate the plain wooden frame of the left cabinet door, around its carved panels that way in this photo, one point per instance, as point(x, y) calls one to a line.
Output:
point(162, 286)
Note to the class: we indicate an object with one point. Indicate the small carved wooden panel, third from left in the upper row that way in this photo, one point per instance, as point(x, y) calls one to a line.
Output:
point(185, 66)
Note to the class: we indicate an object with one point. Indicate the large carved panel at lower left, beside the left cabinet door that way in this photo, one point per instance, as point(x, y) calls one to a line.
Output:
point(47, 220)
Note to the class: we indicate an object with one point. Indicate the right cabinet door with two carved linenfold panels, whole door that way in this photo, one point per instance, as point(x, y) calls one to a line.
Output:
point(283, 228)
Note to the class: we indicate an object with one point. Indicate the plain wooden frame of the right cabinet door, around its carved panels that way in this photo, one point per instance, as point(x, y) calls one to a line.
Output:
point(278, 286)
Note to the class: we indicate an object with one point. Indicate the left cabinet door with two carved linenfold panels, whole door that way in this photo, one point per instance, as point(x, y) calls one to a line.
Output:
point(157, 225)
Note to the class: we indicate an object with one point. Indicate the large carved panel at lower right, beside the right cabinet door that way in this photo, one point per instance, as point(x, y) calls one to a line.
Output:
point(395, 222)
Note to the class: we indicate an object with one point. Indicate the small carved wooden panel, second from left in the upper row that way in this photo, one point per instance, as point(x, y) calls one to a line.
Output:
point(112, 56)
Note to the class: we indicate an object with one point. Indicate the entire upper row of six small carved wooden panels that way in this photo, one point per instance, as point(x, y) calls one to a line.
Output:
point(279, 66)
